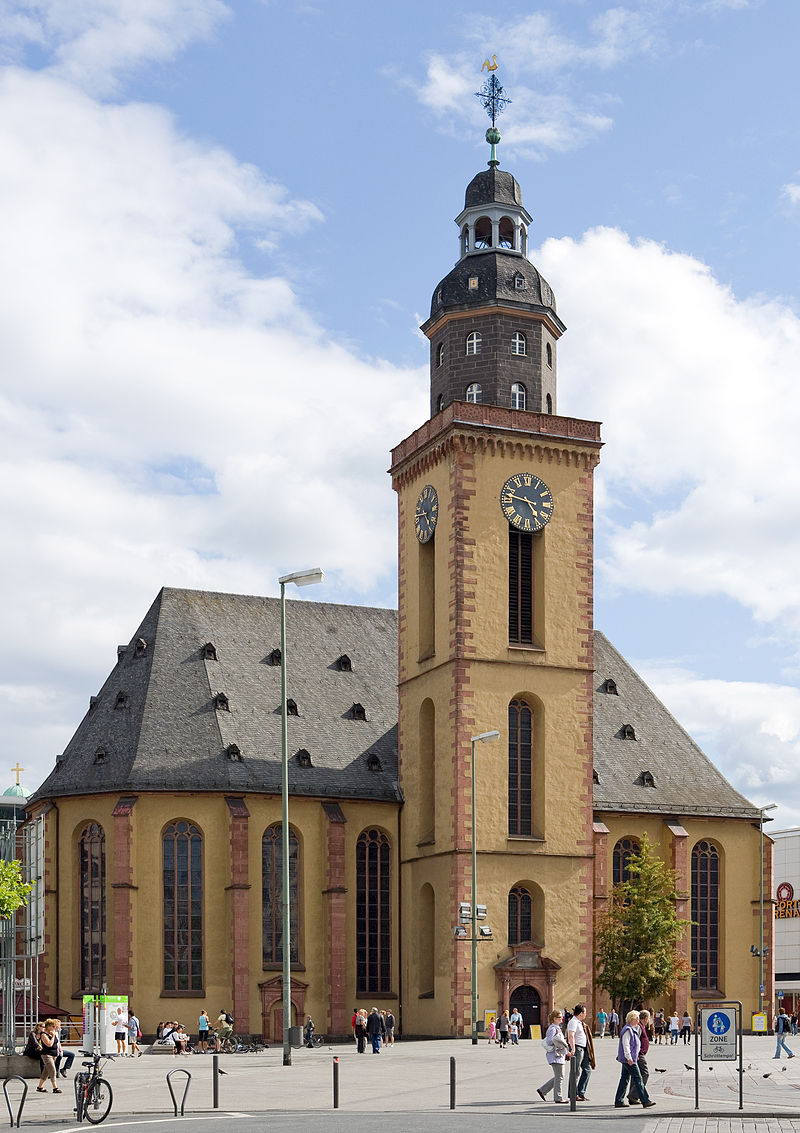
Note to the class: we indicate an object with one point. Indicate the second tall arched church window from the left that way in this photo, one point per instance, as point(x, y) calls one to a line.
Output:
point(183, 908)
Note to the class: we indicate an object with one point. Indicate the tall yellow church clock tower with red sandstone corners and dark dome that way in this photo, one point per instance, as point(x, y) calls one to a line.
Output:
point(496, 634)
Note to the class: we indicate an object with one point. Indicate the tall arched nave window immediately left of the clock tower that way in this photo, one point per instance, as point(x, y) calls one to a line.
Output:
point(373, 915)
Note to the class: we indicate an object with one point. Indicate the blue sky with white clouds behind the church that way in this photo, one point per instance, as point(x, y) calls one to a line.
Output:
point(223, 224)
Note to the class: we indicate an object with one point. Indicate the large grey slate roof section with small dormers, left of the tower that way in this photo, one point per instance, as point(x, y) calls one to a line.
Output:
point(171, 736)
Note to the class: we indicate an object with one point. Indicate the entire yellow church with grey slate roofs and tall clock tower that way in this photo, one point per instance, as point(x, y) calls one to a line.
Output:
point(163, 817)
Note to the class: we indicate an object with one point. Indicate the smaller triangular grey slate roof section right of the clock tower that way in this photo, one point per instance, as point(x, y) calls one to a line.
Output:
point(686, 781)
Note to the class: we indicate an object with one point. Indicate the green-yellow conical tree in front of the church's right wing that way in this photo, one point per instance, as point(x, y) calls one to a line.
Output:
point(640, 935)
